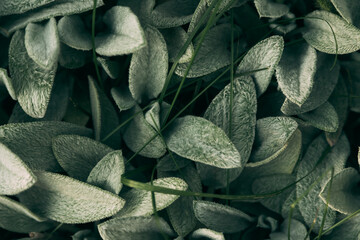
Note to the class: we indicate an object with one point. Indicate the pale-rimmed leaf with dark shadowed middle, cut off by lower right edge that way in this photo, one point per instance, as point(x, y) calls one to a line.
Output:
point(344, 194)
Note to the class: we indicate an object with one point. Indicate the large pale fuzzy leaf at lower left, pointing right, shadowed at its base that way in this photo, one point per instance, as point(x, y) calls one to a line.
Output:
point(66, 200)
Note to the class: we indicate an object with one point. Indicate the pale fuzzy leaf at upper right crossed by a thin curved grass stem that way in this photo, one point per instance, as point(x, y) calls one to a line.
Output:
point(320, 36)
